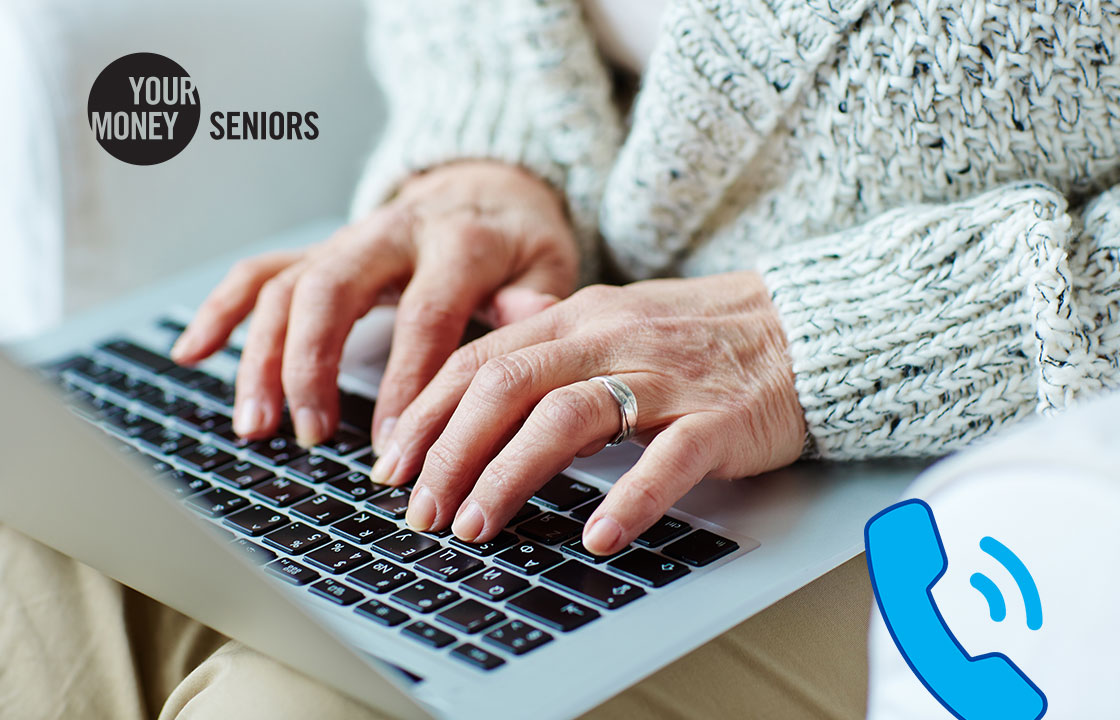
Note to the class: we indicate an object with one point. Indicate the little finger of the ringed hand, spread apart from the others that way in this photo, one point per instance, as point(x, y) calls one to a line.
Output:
point(675, 462)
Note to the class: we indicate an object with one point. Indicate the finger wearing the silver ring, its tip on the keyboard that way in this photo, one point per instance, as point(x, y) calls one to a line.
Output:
point(567, 420)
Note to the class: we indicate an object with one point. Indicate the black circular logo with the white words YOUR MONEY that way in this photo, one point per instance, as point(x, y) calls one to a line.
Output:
point(144, 109)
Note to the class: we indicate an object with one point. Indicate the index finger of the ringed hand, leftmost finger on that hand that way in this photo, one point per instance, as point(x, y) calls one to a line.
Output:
point(427, 416)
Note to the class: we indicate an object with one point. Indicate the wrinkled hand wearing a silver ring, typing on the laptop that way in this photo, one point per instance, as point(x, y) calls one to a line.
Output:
point(706, 360)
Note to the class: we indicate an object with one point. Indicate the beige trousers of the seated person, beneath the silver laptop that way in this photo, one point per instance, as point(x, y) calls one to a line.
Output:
point(77, 646)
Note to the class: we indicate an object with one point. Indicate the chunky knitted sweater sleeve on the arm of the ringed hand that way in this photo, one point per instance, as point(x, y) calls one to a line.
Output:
point(930, 326)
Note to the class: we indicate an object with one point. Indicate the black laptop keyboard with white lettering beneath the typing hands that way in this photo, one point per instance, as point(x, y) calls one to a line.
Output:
point(314, 519)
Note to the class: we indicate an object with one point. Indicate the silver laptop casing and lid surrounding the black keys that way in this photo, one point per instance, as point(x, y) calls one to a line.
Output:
point(68, 483)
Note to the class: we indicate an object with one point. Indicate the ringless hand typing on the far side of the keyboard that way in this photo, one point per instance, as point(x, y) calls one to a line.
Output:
point(465, 238)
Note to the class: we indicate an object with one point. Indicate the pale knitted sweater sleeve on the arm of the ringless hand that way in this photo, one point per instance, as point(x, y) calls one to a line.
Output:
point(502, 80)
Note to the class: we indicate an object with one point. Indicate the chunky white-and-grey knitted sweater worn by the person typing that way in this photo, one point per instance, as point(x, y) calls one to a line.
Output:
point(914, 180)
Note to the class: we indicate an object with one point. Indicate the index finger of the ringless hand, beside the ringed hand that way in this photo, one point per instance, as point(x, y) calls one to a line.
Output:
point(432, 317)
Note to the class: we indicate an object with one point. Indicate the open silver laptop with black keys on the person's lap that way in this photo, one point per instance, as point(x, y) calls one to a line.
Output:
point(119, 459)
